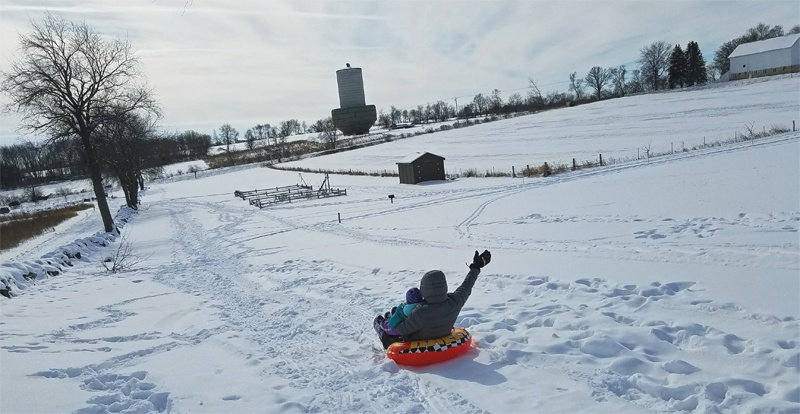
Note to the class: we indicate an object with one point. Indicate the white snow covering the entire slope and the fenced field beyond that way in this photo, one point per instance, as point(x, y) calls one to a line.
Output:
point(660, 285)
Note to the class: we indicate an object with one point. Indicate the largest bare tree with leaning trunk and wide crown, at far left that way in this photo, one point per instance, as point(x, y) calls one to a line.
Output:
point(69, 81)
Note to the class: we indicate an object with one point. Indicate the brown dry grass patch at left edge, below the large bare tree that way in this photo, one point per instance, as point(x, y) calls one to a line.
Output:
point(19, 228)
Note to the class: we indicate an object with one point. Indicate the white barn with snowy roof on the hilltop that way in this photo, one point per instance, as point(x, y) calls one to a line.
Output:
point(766, 58)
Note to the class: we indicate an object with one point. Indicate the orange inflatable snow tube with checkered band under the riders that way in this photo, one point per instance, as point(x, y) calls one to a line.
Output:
point(431, 351)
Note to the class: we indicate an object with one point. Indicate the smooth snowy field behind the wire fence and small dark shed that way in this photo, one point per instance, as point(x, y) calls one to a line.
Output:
point(616, 128)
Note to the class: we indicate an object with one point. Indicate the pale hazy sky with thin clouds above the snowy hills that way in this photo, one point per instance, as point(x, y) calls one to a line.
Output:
point(252, 62)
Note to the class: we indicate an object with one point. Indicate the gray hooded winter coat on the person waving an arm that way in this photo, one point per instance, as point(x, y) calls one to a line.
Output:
point(435, 315)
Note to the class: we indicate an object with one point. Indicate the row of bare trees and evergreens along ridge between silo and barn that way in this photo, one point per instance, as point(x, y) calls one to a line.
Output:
point(662, 65)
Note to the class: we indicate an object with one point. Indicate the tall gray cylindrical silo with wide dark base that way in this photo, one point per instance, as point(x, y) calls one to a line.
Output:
point(354, 116)
